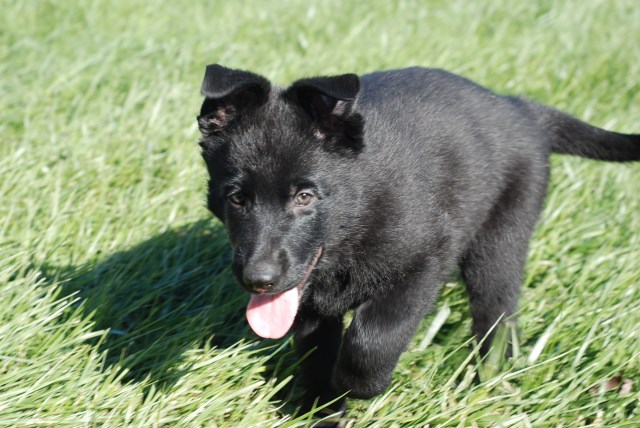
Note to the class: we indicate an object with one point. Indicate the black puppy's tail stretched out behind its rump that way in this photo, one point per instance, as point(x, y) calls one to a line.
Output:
point(573, 137)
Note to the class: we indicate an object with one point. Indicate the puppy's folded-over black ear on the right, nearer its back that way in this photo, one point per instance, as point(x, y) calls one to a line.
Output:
point(329, 101)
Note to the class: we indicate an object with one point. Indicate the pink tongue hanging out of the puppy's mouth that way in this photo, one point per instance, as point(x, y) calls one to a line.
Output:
point(271, 317)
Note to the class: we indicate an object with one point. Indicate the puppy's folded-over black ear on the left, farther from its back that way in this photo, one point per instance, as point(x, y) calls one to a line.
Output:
point(229, 93)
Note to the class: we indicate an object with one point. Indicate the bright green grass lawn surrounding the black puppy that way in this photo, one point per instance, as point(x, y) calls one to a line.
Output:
point(116, 303)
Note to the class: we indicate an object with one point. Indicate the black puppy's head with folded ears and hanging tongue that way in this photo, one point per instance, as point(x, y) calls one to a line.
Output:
point(276, 159)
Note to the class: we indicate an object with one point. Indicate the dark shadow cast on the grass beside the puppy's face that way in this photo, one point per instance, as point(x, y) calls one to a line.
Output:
point(160, 298)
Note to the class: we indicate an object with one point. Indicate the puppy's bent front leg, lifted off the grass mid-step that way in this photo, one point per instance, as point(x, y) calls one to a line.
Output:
point(380, 331)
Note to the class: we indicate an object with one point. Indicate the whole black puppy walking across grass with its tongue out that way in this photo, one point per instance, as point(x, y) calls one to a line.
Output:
point(366, 193)
